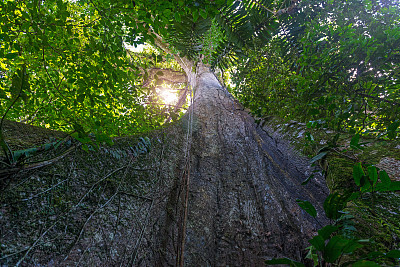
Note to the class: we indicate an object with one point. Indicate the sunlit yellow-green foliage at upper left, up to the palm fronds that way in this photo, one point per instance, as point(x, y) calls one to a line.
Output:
point(64, 64)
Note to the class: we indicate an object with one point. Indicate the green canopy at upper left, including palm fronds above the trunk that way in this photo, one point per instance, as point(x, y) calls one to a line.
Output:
point(64, 64)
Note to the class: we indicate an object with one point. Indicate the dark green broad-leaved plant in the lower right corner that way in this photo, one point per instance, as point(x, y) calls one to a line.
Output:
point(337, 239)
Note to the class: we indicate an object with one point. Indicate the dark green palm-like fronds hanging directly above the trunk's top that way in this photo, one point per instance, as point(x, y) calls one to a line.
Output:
point(244, 23)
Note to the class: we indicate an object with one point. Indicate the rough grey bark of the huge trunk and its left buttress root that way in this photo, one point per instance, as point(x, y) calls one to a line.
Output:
point(231, 201)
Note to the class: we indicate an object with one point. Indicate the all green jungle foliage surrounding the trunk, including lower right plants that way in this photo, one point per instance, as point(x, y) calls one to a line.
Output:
point(333, 65)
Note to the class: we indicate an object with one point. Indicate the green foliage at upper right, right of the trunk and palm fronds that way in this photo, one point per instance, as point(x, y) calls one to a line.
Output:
point(340, 70)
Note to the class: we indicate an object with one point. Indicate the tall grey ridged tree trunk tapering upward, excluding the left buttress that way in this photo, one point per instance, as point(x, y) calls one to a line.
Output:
point(240, 207)
